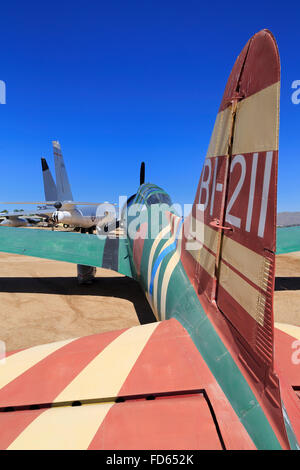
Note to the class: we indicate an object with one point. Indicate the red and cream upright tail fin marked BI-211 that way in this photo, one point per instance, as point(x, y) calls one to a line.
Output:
point(233, 220)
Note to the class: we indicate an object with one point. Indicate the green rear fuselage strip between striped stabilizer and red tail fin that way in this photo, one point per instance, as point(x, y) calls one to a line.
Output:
point(184, 305)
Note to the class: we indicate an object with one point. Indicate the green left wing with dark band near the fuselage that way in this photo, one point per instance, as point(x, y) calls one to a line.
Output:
point(106, 252)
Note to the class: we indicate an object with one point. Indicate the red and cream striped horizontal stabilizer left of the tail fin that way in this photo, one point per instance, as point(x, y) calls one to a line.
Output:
point(112, 376)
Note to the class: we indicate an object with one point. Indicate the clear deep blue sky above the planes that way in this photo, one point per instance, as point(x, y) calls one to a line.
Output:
point(121, 81)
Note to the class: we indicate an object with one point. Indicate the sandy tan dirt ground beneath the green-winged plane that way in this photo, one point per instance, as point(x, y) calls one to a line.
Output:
point(41, 301)
